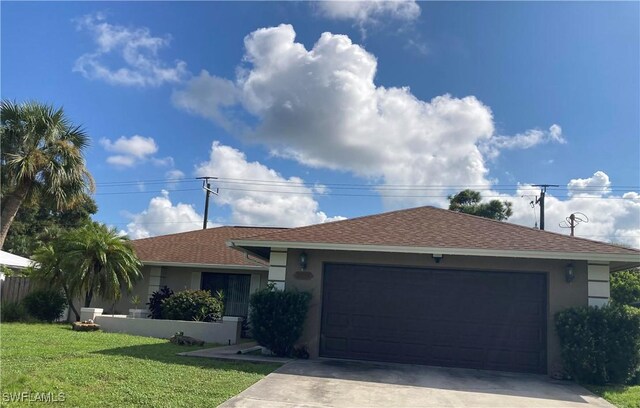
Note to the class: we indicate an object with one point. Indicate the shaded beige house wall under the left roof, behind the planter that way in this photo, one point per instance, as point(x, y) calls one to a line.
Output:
point(177, 279)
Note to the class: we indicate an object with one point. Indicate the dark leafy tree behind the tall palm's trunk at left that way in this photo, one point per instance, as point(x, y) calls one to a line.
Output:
point(39, 223)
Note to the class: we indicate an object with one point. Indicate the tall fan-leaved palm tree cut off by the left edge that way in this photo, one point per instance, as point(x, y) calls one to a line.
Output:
point(41, 153)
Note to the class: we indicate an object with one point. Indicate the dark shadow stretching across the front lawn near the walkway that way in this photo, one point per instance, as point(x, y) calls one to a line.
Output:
point(167, 353)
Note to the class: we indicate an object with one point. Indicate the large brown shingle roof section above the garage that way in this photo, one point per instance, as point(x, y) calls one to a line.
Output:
point(430, 227)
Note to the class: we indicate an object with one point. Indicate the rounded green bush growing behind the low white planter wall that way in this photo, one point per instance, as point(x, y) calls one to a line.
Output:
point(193, 305)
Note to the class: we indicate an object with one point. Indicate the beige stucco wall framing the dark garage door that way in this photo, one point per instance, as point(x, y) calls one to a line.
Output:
point(560, 294)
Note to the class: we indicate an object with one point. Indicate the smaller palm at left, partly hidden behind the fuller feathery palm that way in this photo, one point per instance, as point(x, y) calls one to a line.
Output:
point(49, 270)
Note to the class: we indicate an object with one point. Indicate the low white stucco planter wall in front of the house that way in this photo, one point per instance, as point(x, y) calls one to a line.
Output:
point(225, 332)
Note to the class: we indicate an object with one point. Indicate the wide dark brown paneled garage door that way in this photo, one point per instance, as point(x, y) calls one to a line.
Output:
point(474, 319)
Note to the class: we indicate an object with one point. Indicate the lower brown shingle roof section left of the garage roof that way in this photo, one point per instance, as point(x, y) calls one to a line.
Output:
point(197, 247)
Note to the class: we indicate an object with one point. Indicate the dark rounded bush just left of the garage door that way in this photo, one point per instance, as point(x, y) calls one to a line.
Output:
point(277, 318)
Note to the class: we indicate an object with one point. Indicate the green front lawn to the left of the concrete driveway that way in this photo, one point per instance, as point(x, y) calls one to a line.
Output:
point(96, 369)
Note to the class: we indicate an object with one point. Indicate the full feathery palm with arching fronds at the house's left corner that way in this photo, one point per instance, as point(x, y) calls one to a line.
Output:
point(101, 261)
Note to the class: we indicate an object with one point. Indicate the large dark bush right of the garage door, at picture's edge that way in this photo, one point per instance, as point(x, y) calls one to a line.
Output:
point(600, 345)
